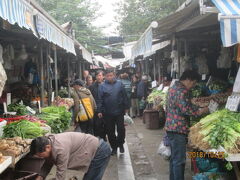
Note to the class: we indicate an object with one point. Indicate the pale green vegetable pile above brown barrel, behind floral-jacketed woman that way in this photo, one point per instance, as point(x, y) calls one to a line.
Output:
point(157, 98)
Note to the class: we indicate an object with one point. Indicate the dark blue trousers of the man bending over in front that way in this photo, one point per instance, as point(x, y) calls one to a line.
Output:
point(99, 163)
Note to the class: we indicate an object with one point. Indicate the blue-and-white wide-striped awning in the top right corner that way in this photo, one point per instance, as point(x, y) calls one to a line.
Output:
point(229, 18)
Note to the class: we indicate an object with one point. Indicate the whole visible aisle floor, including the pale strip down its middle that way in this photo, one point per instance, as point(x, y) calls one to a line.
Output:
point(140, 160)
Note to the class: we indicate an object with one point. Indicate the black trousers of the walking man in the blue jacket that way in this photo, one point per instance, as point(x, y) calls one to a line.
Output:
point(111, 122)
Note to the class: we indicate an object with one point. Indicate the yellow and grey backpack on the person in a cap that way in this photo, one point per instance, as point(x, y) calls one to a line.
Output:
point(85, 109)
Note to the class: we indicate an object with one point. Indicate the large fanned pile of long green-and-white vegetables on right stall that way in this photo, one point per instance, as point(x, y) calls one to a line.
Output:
point(221, 128)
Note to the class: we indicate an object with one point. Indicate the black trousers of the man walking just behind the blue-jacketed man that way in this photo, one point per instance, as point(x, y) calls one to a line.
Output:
point(99, 129)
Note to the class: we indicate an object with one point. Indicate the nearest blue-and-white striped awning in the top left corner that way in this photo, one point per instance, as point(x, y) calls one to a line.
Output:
point(17, 12)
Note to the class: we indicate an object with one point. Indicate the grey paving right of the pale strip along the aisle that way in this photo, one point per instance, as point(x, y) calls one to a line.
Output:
point(143, 144)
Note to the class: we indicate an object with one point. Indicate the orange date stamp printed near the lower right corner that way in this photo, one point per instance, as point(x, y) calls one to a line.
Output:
point(195, 154)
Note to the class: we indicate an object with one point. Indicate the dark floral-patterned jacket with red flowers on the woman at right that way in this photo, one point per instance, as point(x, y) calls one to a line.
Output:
point(178, 107)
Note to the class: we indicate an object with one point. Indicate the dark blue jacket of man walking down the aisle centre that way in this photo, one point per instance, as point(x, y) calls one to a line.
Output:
point(112, 98)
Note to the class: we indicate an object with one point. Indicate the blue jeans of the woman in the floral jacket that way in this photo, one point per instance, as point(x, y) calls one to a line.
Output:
point(178, 144)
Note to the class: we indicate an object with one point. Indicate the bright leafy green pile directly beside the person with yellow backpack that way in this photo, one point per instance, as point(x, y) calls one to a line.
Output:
point(58, 118)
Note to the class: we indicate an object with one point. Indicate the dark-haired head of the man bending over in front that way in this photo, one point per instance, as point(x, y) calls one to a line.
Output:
point(41, 147)
